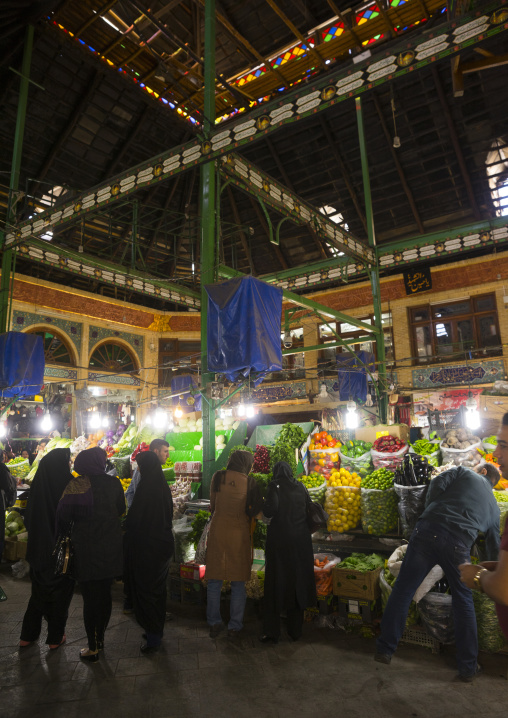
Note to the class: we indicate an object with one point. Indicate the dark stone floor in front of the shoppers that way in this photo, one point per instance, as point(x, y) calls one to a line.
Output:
point(327, 673)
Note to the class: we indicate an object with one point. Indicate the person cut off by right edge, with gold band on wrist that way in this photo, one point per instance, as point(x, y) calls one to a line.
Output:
point(491, 577)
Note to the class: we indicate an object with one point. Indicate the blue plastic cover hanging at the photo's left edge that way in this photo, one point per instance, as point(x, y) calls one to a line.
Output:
point(21, 364)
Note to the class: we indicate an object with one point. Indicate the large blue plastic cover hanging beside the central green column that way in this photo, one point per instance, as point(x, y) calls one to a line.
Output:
point(243, 332)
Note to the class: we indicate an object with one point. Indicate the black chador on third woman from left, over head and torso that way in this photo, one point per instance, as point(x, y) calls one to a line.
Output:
point(151, 511)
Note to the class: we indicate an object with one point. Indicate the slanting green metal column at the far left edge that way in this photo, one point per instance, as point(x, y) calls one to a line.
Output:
point(7, 256)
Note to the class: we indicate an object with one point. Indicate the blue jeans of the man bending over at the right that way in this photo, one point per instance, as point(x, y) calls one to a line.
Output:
point(432, 544)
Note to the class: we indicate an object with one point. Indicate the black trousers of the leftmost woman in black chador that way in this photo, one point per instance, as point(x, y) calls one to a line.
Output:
point(50, 599)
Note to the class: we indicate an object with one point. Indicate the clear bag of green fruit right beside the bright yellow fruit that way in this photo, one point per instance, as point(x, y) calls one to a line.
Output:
point(379, 503)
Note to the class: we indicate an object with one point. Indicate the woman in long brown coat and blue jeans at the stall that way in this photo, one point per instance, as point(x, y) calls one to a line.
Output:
point(234, 500)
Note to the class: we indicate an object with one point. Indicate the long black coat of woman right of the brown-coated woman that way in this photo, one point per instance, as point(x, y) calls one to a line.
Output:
point(289, 569)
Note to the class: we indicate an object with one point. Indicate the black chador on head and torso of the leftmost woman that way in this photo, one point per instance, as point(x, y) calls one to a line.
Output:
point(51, 479)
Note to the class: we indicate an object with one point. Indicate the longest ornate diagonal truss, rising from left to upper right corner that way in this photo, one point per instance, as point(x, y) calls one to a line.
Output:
point(304, 102)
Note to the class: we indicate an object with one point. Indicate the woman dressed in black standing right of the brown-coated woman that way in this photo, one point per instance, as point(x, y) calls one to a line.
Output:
point(289, 571)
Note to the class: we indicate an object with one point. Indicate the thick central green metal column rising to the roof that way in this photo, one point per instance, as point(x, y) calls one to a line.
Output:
point(208, 254)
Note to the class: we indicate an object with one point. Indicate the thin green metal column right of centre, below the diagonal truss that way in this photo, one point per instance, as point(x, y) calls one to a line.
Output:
point(374, 272)
